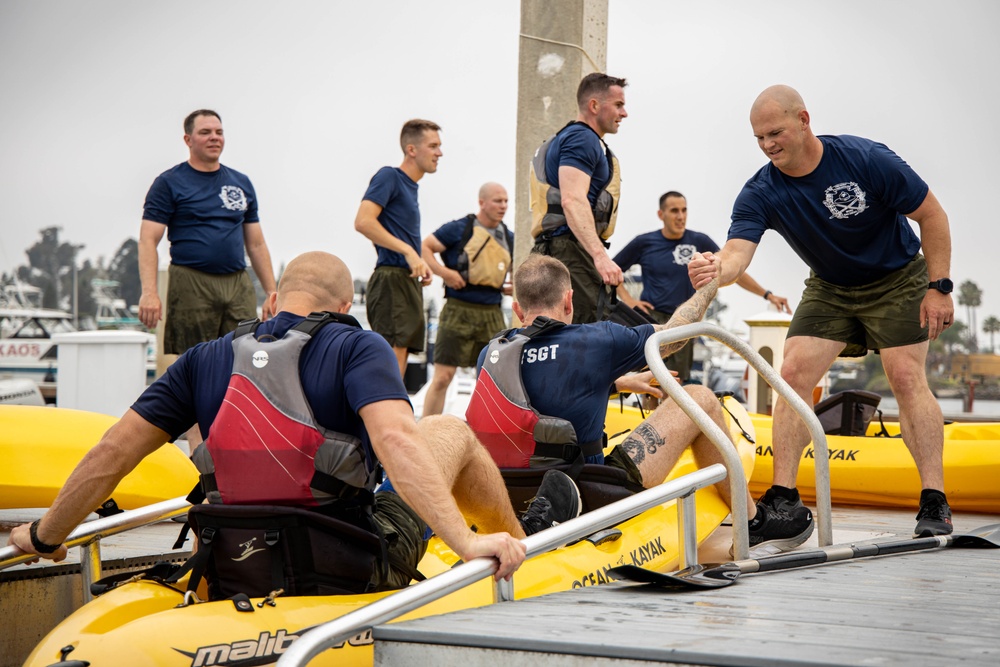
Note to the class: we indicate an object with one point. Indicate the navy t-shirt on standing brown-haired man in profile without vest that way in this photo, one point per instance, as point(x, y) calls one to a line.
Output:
point(396, 193)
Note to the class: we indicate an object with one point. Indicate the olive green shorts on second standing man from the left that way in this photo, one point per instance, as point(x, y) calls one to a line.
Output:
point(396, 307)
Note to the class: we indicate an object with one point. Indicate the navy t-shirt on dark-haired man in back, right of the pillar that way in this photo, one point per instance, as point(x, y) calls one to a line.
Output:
point(665, 282)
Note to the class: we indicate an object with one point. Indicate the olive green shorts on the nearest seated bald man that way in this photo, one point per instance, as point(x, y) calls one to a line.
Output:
point(404, 534)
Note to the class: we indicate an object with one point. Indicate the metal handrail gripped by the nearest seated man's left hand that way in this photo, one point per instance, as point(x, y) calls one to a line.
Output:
point(87, 536)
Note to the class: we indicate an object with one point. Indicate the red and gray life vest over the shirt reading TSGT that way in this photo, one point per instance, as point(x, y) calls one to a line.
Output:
point(502, 417)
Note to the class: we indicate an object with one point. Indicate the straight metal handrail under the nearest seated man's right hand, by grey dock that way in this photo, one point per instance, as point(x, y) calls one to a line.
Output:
point(330, 634)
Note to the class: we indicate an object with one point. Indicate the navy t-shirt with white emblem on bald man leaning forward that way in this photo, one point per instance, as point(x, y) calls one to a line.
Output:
point(846, 219)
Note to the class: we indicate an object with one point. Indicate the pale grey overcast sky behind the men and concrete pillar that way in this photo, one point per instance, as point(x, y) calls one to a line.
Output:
point(313, 94)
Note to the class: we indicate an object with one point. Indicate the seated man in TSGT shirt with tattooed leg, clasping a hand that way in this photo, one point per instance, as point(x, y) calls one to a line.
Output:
point(568, 372)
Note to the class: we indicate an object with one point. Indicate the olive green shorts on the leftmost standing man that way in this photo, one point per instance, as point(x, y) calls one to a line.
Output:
point(204, 306)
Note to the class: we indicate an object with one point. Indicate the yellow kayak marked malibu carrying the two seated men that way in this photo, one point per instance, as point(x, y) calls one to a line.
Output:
point(140, 624)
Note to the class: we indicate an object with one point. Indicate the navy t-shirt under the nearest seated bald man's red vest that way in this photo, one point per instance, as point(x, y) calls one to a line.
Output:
point(342, 369)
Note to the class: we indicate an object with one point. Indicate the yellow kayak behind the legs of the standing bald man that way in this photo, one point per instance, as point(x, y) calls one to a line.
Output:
point(879, 471)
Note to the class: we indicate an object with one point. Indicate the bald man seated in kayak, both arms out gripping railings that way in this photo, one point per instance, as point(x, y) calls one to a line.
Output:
point(441, 473)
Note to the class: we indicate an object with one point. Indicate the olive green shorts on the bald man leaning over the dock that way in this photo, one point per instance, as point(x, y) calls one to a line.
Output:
point(876, 316)
